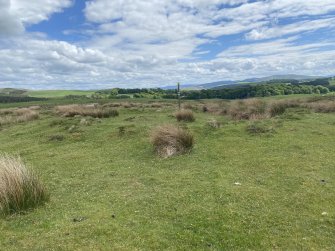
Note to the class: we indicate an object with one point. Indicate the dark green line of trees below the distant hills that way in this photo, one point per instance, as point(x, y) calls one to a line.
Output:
point(238, 91)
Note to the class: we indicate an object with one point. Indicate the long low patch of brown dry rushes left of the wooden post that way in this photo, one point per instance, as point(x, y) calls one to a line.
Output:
point(86, 110)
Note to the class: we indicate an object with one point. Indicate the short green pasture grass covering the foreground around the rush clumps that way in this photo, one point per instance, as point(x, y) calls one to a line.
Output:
point(133, 200)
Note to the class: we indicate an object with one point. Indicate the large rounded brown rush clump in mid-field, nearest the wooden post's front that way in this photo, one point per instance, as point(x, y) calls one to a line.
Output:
point(169, 140)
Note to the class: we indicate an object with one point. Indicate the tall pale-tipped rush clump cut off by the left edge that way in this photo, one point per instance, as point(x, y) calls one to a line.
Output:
point(20, 188)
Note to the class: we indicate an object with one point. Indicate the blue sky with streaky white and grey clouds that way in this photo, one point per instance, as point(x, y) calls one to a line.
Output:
point(97, 44)
